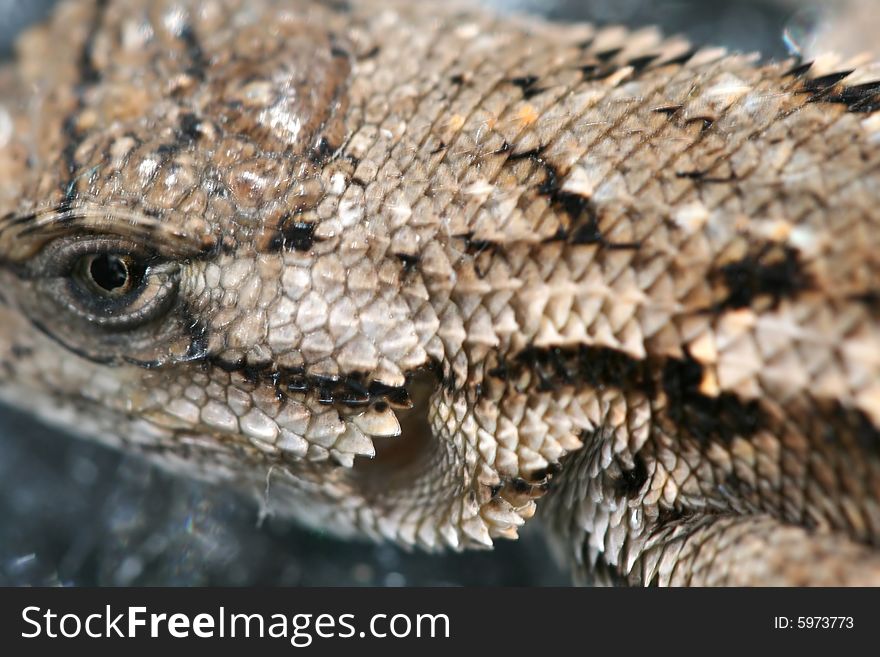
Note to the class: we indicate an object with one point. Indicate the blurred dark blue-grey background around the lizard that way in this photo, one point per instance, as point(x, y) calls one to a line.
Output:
point(73, 513)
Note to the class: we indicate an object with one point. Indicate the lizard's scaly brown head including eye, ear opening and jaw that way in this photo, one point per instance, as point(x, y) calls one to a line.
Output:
point(191, 270)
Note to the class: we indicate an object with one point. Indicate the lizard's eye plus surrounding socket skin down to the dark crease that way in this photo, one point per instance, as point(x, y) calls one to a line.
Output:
point(108, 298)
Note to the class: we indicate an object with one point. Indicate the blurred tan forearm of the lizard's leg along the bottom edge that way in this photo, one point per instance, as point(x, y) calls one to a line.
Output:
point(725, 550)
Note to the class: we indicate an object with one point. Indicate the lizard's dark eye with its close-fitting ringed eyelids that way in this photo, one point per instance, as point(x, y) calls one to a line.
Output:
point(111, 283)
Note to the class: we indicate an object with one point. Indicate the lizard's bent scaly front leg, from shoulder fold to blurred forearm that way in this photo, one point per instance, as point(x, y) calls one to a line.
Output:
point(628, 513)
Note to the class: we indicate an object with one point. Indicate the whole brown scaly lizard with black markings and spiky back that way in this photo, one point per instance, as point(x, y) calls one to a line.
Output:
point(419, 273)
